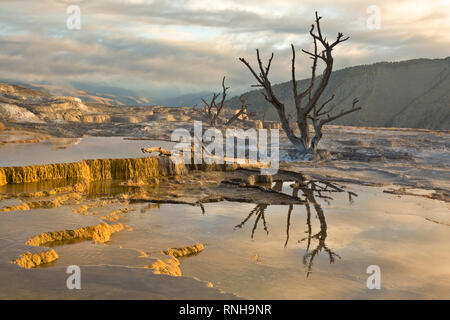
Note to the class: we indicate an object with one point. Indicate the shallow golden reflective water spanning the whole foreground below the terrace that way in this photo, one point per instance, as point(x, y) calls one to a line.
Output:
point(407, 237)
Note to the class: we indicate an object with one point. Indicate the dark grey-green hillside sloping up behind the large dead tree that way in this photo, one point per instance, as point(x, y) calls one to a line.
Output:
point(413, 94)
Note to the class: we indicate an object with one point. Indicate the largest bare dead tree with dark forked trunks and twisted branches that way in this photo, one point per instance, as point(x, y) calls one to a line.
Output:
point(306, 102)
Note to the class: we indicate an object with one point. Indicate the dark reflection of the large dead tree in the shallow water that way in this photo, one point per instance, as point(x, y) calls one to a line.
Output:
point(308, 192)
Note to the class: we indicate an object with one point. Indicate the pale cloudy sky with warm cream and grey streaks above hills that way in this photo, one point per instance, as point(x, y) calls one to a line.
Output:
point(167, 48)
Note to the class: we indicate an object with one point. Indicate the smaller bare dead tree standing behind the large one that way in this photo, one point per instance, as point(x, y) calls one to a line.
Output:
point(213, 110)
